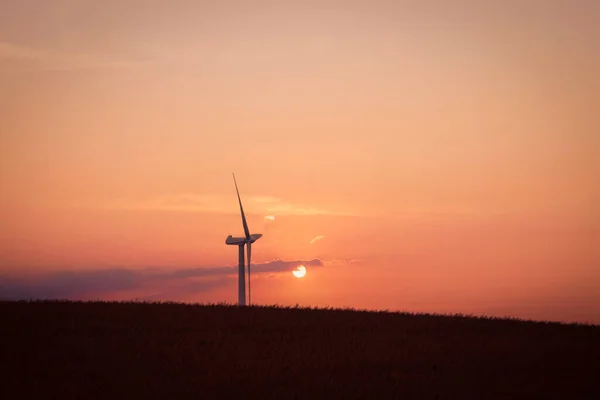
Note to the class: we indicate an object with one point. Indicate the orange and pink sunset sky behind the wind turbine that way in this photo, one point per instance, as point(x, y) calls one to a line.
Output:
point(426, 156)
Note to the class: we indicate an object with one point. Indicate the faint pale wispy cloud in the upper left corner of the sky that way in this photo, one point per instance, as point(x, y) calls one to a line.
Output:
point(42, 59)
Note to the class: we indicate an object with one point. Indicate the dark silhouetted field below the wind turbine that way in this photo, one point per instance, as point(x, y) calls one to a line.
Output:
point(163, 350)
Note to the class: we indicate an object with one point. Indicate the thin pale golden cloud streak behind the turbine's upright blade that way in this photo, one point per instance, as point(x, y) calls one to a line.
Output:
point(213, 203)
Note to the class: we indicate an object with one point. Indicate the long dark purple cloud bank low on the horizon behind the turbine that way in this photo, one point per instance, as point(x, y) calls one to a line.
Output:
point(83, 284)
